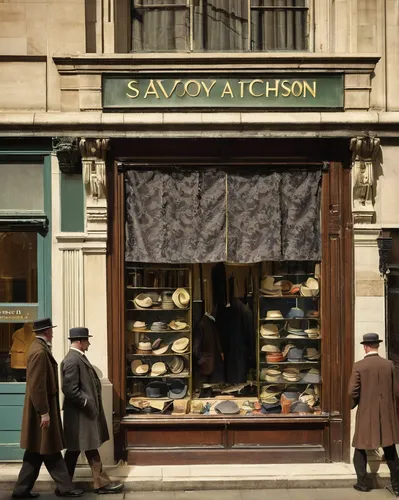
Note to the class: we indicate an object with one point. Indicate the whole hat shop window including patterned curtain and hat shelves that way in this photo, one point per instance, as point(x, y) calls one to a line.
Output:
point(213, 336)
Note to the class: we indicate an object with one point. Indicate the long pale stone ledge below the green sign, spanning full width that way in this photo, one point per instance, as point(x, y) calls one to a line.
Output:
point(200, 124)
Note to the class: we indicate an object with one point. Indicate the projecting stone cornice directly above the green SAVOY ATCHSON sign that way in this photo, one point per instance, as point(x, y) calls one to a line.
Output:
point(259, 62)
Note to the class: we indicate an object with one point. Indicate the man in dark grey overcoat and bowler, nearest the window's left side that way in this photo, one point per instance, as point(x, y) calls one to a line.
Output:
point(84, 419)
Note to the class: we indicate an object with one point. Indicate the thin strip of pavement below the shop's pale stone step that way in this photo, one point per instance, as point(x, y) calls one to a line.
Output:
point(282, 494)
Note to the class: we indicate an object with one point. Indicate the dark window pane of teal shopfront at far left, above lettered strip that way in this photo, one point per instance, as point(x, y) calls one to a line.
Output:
point(18, 267)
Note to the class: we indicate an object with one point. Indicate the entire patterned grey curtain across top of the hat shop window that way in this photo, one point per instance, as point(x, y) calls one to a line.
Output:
point(176, 216)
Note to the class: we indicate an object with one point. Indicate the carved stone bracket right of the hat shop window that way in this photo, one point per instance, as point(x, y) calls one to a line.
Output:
point(366, 151)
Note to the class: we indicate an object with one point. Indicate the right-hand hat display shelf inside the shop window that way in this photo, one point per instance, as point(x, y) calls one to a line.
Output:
point(289, 334)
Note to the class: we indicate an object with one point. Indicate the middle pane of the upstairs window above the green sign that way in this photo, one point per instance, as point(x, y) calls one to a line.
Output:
point(221, 25)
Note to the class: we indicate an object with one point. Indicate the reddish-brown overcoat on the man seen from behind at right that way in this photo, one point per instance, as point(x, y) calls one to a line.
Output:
point(374, 389)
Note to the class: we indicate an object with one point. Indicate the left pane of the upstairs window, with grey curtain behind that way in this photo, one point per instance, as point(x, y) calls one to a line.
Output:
point(160, 25)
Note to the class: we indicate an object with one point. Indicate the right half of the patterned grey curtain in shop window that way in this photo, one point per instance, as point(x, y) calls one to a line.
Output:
point(274, 216)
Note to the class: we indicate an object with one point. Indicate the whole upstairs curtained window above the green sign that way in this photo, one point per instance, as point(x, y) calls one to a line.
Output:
point(219, 25)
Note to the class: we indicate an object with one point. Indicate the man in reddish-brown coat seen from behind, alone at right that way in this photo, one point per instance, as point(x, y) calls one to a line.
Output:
point(373, 389)
